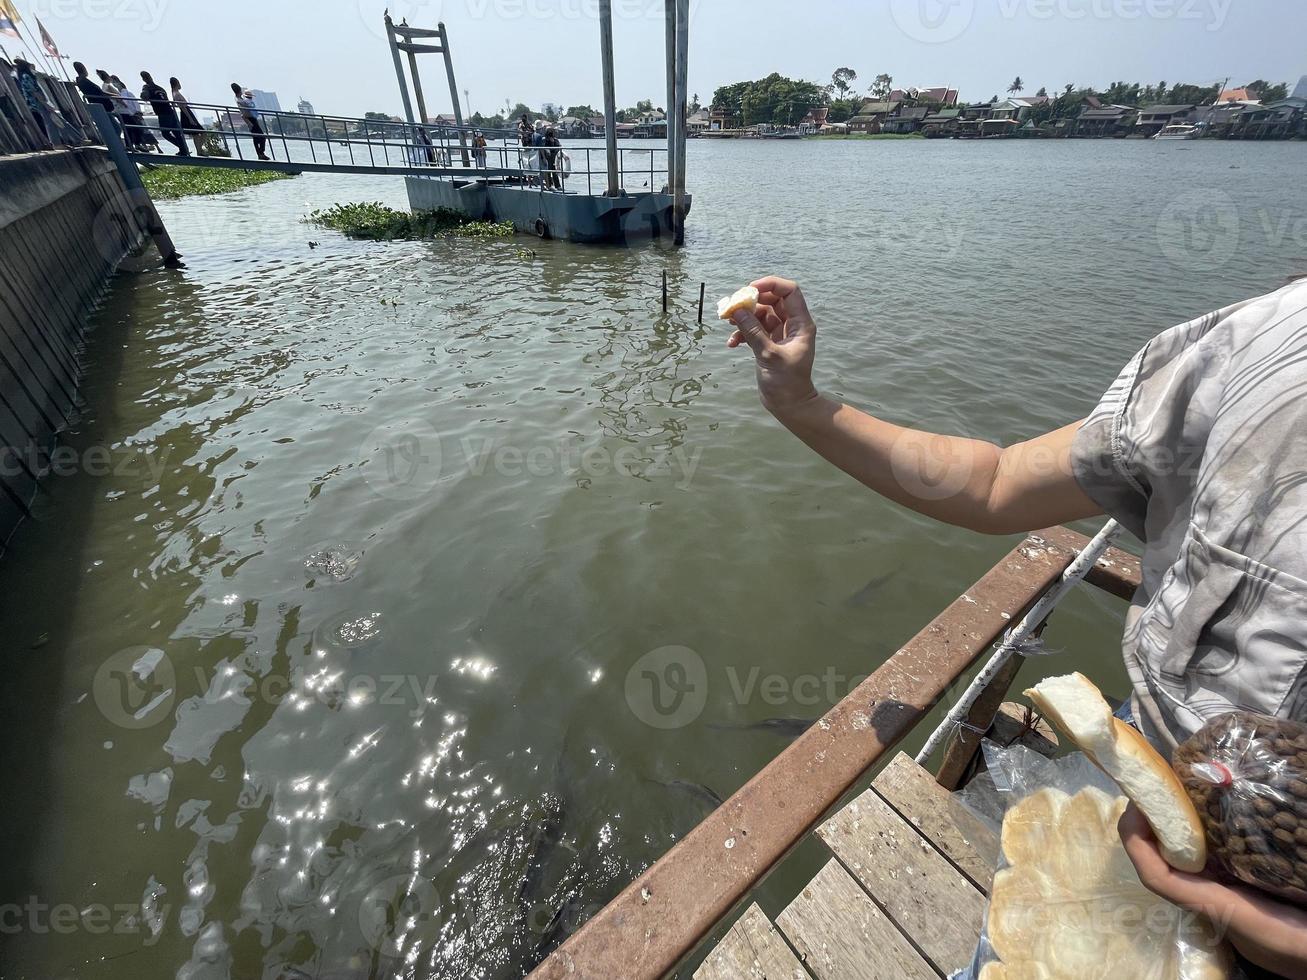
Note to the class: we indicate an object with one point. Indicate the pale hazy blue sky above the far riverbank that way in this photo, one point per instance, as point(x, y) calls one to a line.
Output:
point(334, 53)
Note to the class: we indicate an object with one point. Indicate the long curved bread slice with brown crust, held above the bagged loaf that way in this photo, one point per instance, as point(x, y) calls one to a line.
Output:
point(1079, 709)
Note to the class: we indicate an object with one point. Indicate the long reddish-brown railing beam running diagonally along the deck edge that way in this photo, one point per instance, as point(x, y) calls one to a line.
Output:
point(665, 914)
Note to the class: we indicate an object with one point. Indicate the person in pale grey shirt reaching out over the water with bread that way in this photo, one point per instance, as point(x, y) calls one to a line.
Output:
point(1198, 450)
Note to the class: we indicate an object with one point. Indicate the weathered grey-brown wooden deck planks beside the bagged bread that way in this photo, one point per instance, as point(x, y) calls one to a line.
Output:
point(902, 897)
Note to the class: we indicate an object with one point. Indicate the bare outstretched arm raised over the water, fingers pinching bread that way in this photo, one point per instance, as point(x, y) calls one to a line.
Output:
point(956, 480)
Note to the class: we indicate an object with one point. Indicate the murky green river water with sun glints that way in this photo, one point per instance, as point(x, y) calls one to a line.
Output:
point(330, 654)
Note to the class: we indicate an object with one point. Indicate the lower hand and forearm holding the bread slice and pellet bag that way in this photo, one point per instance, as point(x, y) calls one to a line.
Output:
point(1270, 934)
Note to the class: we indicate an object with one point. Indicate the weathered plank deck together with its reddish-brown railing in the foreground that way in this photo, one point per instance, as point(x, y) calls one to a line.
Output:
point(905, 888)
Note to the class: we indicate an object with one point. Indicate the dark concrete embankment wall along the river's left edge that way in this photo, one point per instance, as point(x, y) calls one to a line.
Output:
point(66, 224)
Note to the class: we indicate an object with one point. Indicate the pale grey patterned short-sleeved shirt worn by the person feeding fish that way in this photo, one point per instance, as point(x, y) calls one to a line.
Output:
point(1200, 450)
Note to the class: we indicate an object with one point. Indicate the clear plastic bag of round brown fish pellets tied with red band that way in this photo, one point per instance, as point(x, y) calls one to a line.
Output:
point(1248, 778)
